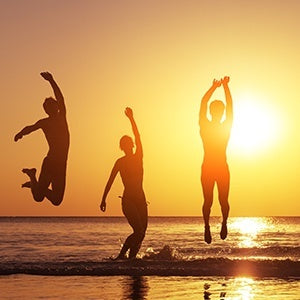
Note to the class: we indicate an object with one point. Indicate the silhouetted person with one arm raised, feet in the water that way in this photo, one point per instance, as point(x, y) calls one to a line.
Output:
point(134, 204)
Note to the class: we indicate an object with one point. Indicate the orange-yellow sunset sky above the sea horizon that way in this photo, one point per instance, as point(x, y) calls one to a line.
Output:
point(158, 57)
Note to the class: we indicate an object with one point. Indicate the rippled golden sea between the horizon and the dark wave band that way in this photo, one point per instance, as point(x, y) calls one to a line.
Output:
point(92, 239)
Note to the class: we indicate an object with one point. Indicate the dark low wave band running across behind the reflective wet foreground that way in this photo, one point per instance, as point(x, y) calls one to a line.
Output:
point(143, 267)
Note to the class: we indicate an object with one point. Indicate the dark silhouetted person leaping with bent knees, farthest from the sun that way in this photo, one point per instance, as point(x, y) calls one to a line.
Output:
point(54, 165)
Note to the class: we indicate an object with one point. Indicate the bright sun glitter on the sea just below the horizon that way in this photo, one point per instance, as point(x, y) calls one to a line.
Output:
point(249, 228)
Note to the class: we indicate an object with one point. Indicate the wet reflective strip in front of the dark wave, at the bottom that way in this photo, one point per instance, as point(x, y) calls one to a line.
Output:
point(146, 287)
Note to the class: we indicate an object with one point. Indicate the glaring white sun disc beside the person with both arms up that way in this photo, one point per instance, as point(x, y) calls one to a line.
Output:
point(254, 126)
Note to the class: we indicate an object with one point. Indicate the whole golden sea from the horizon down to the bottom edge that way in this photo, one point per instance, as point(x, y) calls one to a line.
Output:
point(70, 258)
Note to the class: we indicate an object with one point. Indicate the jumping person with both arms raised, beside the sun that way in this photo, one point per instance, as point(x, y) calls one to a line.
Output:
point(215, 135)
